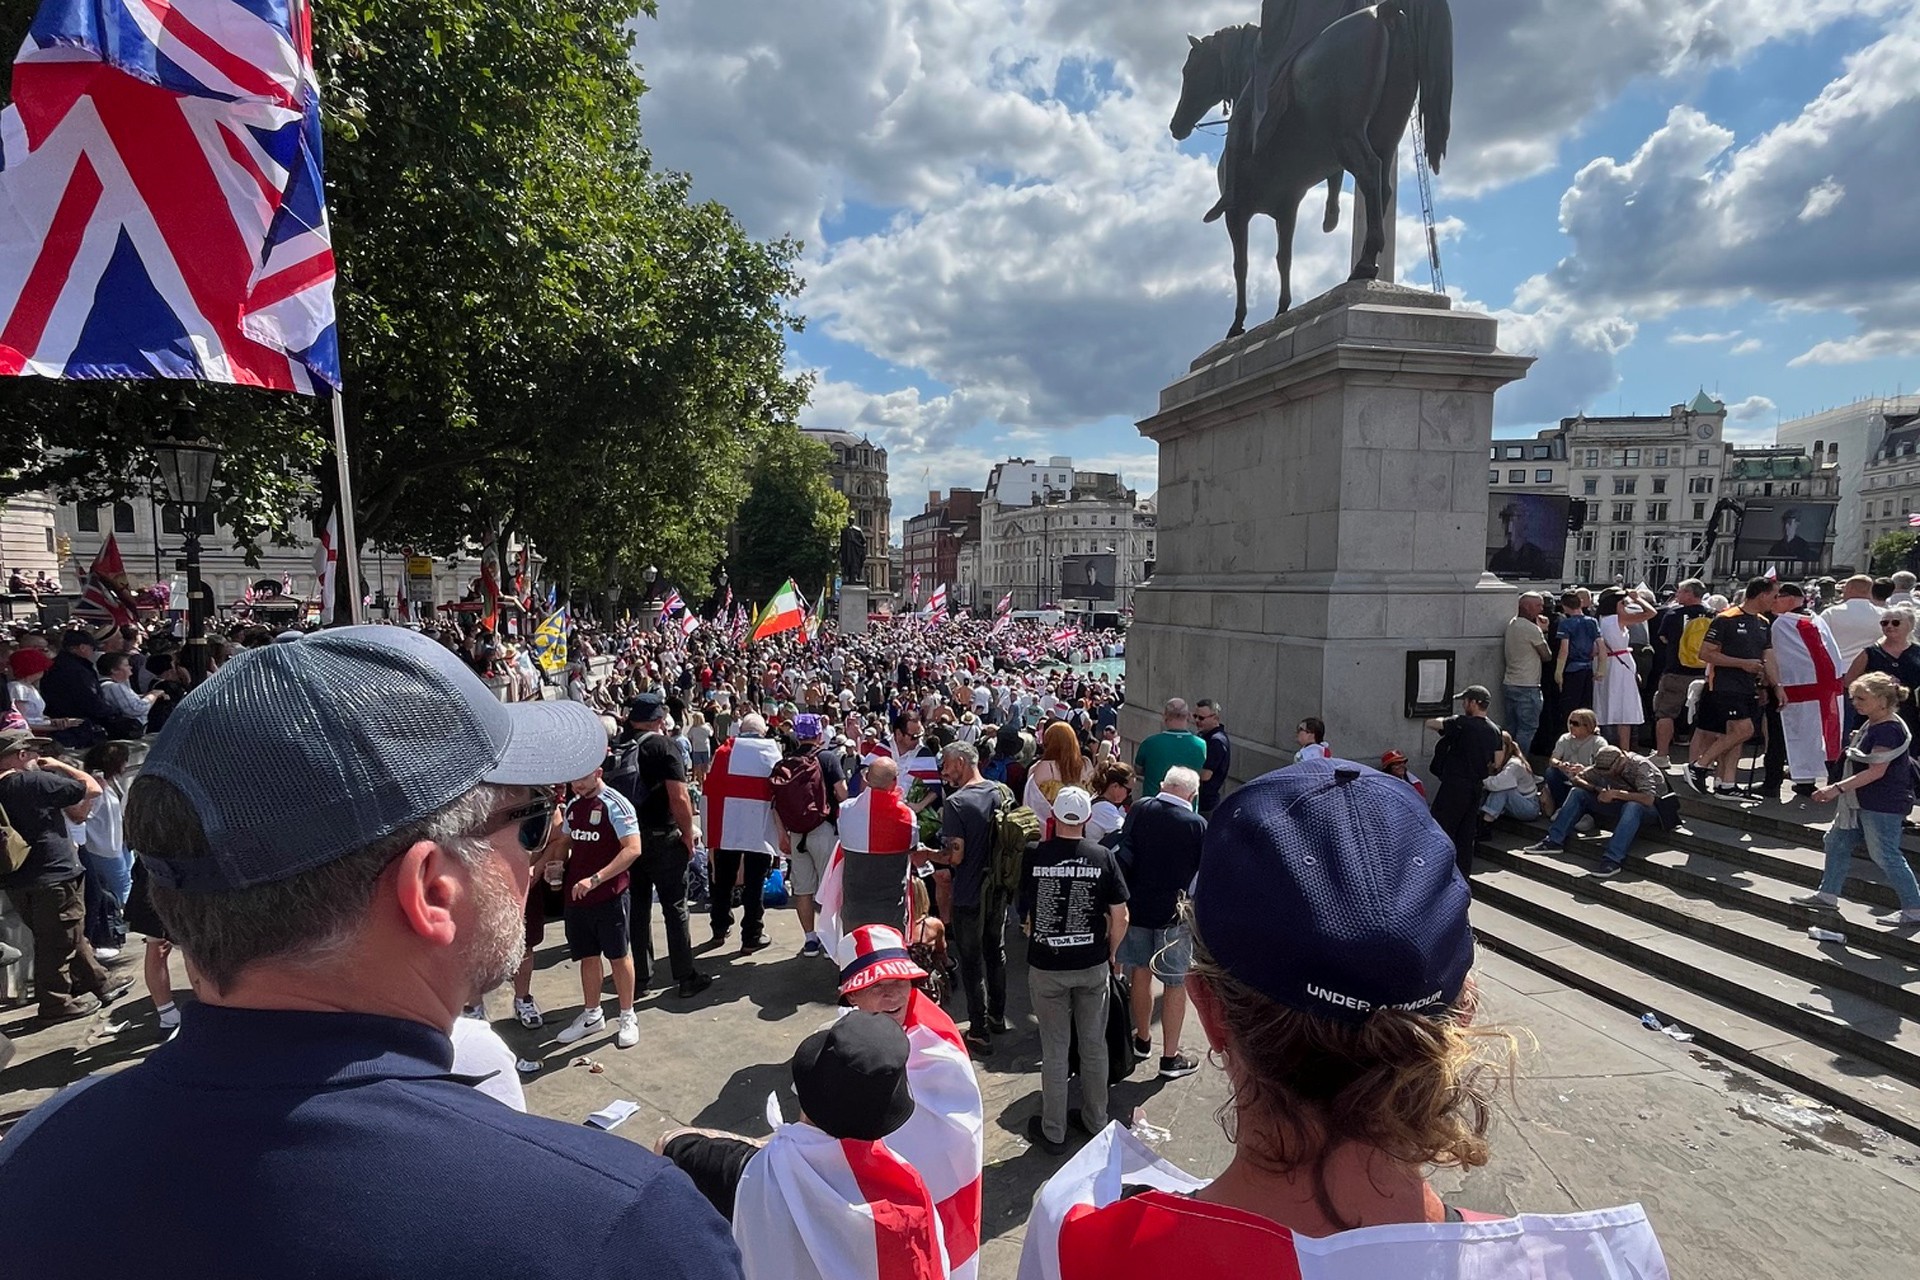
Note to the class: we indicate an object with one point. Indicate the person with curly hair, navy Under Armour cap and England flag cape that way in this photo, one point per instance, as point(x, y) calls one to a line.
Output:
point(1332, 974)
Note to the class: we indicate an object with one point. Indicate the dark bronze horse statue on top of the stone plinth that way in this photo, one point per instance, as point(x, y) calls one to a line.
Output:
point(1337, 107)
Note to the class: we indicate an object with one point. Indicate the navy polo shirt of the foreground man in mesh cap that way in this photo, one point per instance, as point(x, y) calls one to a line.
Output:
point(335, 1145)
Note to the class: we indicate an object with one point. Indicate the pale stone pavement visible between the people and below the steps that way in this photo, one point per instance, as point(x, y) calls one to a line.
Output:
point(1740, 1177)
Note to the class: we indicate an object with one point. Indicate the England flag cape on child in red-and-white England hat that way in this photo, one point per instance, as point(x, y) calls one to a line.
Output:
point(944, 1137)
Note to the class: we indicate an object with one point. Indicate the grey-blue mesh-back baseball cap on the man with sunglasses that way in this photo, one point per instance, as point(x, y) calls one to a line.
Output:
point(295, 755)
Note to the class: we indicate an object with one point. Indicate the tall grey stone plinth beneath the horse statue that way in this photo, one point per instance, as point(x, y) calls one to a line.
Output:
point(1322, 515)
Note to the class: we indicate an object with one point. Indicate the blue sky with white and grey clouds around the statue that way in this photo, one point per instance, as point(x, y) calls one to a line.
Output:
point(1005, 252)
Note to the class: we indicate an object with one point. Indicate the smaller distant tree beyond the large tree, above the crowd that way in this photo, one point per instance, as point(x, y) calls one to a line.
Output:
point(792, 523)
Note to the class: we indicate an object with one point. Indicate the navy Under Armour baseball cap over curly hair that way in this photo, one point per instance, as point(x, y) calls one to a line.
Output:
point(1330, 889)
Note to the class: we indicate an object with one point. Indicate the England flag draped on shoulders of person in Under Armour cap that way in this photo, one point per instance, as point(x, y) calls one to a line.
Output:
point(1084, 1229)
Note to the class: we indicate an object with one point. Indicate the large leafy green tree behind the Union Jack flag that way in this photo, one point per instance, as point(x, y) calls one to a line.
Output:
point(540, 333)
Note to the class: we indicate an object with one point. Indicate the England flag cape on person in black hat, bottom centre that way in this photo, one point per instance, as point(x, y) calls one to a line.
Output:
point(821, 1208)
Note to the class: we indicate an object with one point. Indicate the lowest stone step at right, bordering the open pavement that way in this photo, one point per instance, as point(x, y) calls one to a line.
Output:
point(1838, 1079)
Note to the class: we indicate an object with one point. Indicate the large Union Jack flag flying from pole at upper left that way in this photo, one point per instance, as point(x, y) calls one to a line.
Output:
point(162, 206)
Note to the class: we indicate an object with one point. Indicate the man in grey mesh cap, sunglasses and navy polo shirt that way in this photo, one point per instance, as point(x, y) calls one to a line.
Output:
point(339, 836)
